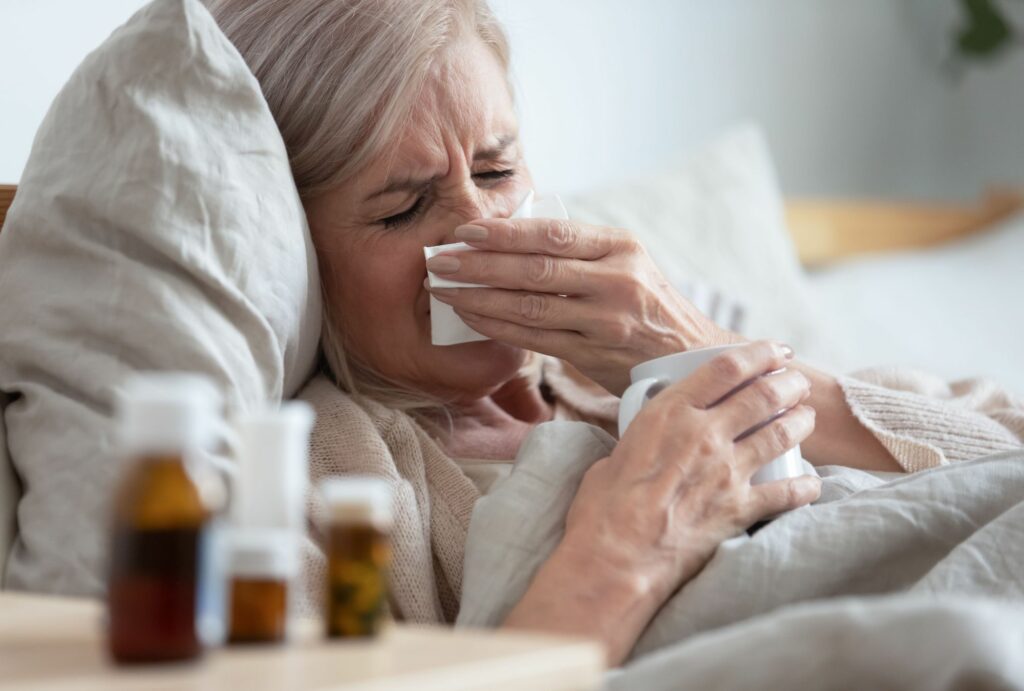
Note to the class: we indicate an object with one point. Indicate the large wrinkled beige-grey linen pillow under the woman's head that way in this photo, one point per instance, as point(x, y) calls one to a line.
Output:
point(157, 227)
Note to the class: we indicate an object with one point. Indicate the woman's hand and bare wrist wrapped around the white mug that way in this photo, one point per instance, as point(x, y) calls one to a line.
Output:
point(649, 519)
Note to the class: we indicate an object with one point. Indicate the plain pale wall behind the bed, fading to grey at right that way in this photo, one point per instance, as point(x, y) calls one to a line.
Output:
point(851, 94)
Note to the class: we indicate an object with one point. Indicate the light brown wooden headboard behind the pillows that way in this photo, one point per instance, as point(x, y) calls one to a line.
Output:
point(829, 231)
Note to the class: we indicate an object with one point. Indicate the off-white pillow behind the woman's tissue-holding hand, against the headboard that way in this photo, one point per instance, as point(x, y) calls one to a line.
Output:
point(721, 220)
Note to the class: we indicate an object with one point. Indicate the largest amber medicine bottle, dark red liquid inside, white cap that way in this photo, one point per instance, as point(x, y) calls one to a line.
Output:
point(159, 579)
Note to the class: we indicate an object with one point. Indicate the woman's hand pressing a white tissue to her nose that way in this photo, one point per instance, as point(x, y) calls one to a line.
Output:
point(589, 295)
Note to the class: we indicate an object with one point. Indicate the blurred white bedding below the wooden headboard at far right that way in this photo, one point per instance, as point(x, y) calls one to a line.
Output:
point(957, 311)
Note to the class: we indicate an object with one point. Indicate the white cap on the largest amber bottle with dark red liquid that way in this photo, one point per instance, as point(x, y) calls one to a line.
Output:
point(167, 413)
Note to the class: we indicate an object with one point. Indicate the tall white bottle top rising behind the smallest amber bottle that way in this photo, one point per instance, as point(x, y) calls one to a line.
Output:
point(273, 468)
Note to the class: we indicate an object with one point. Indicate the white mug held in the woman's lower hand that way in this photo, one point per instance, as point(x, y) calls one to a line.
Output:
point(670, 369)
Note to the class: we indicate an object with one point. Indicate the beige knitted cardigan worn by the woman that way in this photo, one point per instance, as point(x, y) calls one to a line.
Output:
point(921, 420)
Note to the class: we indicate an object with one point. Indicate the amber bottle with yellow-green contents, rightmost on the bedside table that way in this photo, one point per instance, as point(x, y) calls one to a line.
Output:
point(359, 555)
